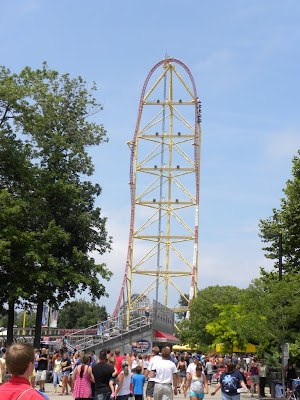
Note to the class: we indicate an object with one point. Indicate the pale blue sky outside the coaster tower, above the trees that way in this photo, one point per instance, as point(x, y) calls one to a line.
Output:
point(244, 56)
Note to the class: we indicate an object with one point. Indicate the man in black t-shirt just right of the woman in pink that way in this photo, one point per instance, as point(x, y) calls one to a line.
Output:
point(102, 373)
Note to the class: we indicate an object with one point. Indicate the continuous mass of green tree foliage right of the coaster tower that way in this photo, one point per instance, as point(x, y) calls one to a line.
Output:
point(267, 312)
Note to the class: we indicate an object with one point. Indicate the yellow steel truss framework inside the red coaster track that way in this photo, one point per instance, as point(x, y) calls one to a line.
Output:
point(149, 146)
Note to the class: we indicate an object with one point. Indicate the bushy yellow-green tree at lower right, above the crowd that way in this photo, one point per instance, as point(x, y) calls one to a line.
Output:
point(265, 315)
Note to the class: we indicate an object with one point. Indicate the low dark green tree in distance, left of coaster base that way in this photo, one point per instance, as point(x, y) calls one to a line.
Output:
point(80, 314)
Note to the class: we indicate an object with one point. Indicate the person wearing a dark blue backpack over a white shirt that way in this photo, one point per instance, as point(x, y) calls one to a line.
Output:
point(230, 382)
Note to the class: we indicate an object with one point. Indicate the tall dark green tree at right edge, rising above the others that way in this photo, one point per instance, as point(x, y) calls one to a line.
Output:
point(286, 220)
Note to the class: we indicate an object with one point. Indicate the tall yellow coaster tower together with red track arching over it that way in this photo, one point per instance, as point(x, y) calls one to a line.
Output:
point(164, 186)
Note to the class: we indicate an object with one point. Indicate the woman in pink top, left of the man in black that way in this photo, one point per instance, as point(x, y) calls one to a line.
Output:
point(82, 378)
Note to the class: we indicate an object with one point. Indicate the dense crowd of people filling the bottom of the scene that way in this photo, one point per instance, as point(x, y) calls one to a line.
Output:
point(116, 376)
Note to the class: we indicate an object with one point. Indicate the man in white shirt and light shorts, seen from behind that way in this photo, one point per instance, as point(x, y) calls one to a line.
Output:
point(164, 372)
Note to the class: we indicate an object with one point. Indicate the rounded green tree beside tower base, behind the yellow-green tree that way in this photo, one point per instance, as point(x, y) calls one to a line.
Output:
point(203, 311)
